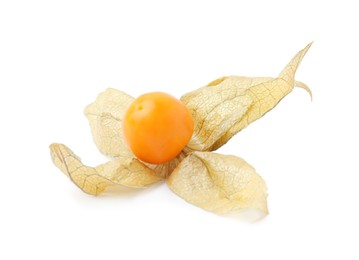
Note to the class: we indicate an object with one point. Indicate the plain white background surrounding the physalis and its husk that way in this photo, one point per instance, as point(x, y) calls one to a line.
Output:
point(56, 56)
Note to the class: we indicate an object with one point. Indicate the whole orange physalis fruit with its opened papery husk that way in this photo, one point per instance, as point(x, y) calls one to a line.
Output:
point(159, 138)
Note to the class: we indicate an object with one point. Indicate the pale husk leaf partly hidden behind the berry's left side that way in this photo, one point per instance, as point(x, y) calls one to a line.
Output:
point(105, 116)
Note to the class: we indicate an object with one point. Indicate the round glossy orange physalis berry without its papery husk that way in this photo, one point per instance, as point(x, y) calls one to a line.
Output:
point(157, 127)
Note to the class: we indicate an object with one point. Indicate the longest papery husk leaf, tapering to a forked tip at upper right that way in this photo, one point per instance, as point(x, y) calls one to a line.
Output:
point(228, 104)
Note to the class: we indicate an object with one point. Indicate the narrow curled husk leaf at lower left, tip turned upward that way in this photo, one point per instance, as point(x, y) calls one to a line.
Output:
point(94, 180)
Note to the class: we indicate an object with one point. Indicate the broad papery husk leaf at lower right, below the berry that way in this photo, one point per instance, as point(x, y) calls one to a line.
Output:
point(219, 183)
